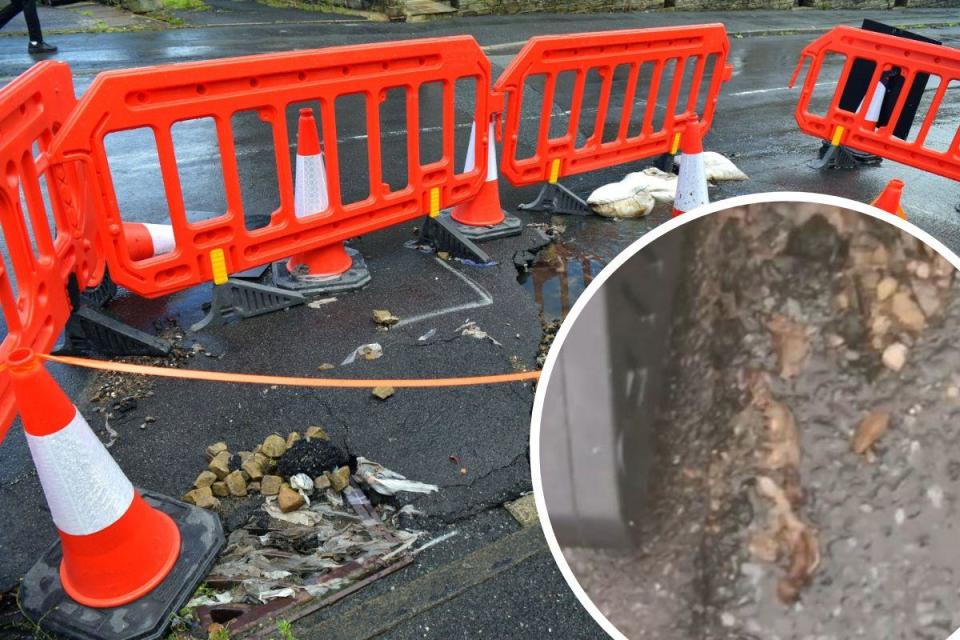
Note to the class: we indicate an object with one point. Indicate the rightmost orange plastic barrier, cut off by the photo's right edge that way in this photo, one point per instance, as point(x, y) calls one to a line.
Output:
point(905, 59)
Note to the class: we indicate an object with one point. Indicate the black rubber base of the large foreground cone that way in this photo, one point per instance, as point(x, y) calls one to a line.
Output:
point(46, 604)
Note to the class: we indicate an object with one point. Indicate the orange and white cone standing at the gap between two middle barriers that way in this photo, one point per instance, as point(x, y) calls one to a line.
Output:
point(482, 217)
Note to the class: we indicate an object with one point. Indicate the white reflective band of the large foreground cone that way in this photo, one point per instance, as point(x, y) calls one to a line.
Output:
point(85, 488)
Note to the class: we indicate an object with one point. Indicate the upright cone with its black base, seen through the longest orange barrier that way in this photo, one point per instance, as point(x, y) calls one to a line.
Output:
point(328, 269)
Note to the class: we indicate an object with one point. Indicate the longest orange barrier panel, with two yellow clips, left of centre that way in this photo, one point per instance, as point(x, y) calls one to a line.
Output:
point(155, 99)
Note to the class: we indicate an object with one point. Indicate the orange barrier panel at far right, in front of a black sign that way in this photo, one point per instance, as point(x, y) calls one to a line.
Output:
point(881, 122)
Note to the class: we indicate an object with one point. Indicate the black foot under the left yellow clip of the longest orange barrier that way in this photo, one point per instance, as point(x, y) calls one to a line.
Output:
point(239, 299)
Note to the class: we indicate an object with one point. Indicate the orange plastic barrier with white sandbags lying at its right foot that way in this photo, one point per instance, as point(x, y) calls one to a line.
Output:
point(655, 62)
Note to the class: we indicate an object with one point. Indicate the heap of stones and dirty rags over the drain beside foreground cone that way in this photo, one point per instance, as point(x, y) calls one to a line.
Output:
point(315, 538)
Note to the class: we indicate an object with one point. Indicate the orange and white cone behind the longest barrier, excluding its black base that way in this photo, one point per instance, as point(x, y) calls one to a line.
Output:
point(310, 197)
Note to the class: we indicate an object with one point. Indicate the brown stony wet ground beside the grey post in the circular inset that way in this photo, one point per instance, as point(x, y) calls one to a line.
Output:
point(781, 509)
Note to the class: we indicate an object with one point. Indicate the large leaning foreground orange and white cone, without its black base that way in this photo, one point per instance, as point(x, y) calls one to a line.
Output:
point(116, 547)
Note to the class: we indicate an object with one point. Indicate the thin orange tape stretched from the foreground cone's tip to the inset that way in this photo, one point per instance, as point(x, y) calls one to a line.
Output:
point(292, 381)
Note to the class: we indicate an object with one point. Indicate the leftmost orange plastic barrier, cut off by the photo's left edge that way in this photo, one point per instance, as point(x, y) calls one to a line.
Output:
point(45, 213)
